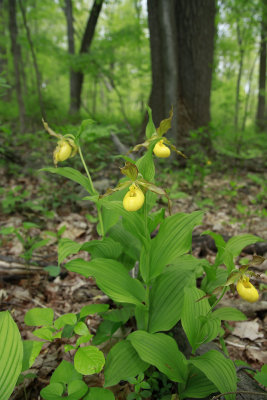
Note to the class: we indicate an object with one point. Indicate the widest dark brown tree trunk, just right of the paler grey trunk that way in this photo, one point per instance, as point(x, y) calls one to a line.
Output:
point(196, 35)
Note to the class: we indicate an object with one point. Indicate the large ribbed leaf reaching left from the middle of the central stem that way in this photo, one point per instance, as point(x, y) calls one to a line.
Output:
point(112, 278)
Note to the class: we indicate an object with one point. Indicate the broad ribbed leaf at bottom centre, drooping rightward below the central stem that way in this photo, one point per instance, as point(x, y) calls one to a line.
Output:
point(161, 351)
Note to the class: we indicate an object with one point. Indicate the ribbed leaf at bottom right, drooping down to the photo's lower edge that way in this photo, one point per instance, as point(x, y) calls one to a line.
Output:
point(219, 370)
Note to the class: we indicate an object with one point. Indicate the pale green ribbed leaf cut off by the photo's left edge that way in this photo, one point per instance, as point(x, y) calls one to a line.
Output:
point(11, 354)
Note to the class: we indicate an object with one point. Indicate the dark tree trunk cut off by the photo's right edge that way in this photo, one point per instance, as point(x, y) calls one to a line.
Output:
point(261, 117)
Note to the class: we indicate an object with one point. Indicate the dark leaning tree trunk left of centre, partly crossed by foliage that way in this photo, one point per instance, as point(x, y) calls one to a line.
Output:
point(78, 76)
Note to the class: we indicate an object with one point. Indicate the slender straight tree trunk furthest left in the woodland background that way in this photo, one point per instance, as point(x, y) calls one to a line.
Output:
point(17, 60)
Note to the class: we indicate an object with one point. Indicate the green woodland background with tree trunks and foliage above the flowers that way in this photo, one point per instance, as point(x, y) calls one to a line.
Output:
point(69, 60)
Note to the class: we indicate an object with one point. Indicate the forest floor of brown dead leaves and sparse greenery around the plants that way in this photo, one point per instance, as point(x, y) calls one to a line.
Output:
point(234, 203)
